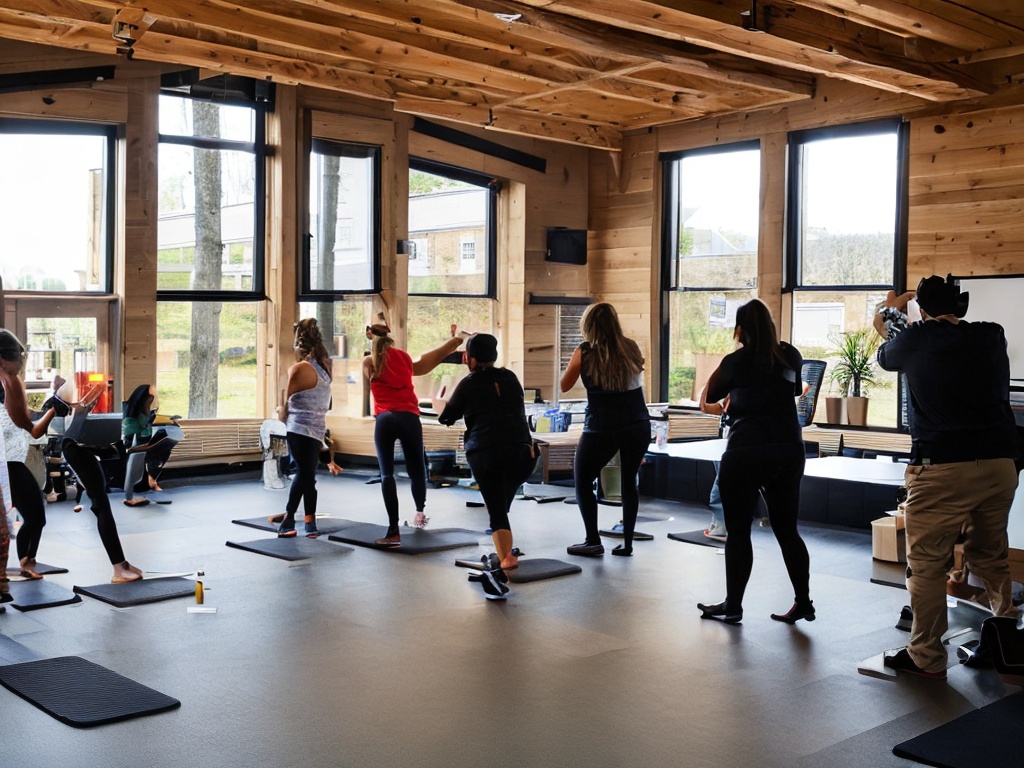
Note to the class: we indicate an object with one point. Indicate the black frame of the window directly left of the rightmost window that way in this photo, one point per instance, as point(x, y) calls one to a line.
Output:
point(671, 178)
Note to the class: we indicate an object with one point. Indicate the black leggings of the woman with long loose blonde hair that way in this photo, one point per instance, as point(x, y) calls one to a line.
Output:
point(593, 453)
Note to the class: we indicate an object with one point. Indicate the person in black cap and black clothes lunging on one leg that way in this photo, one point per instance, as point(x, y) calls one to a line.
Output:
point(499, 448)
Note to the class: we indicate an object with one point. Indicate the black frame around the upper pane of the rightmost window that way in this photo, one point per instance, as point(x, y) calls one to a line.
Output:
point(792, 273)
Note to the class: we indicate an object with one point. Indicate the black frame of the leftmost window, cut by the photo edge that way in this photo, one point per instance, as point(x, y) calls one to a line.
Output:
point(112, 134)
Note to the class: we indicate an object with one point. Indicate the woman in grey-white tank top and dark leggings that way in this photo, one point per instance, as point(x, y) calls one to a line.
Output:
point(308, 399)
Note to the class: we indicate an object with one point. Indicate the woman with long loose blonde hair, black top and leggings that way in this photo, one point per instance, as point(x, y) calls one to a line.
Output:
point(618, 421)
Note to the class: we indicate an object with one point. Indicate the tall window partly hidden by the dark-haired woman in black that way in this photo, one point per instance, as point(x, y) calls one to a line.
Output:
point(711, 260)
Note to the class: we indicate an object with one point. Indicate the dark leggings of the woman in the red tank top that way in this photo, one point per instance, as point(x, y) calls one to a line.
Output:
point(406, 429)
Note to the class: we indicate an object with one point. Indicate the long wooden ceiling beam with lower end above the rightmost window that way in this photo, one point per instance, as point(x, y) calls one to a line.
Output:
point(707, 25)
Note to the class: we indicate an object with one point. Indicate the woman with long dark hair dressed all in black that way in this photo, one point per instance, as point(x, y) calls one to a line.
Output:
point(764, 457)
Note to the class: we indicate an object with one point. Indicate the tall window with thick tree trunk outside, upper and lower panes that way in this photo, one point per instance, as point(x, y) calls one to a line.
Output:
point(210, 257)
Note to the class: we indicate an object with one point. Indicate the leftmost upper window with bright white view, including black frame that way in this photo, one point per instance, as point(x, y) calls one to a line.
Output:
point(57, 206)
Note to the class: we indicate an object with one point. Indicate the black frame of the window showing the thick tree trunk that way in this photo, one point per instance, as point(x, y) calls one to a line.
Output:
point(259, 149)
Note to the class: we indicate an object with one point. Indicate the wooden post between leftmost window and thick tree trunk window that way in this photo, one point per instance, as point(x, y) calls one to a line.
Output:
point(136, 272)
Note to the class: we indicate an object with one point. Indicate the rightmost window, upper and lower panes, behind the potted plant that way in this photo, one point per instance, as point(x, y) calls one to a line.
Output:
point(845, 249)
